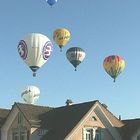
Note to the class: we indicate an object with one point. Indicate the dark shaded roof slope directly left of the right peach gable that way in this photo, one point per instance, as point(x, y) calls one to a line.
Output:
point(60, 121)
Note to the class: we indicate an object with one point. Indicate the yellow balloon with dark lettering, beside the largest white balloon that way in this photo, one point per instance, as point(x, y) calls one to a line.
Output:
point(61, 37)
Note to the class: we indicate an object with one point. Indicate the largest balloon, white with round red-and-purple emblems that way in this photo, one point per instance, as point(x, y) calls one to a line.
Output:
point(35, 49)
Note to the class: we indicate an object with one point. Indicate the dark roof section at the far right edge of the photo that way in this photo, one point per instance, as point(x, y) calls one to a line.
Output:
point(131, 126)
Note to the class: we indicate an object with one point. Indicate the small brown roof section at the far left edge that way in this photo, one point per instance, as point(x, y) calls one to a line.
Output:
point(3, 115)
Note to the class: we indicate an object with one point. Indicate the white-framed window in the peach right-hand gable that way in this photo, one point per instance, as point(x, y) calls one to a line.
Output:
point(92, 133)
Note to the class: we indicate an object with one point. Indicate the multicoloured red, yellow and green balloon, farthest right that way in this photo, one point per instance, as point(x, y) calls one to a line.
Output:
point(114, 65)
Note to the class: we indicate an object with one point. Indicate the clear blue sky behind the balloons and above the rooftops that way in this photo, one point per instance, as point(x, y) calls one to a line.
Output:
point(100, 27)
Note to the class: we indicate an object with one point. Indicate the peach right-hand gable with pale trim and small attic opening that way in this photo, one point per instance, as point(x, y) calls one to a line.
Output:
point(103, 121)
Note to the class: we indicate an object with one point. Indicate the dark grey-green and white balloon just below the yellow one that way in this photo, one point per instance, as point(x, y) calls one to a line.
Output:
point(75, 55)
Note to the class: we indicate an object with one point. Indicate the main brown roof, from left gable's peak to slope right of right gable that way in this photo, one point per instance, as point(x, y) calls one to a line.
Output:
point(56, 119)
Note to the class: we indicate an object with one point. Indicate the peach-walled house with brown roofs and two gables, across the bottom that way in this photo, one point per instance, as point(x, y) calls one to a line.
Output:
point(84, 121)
